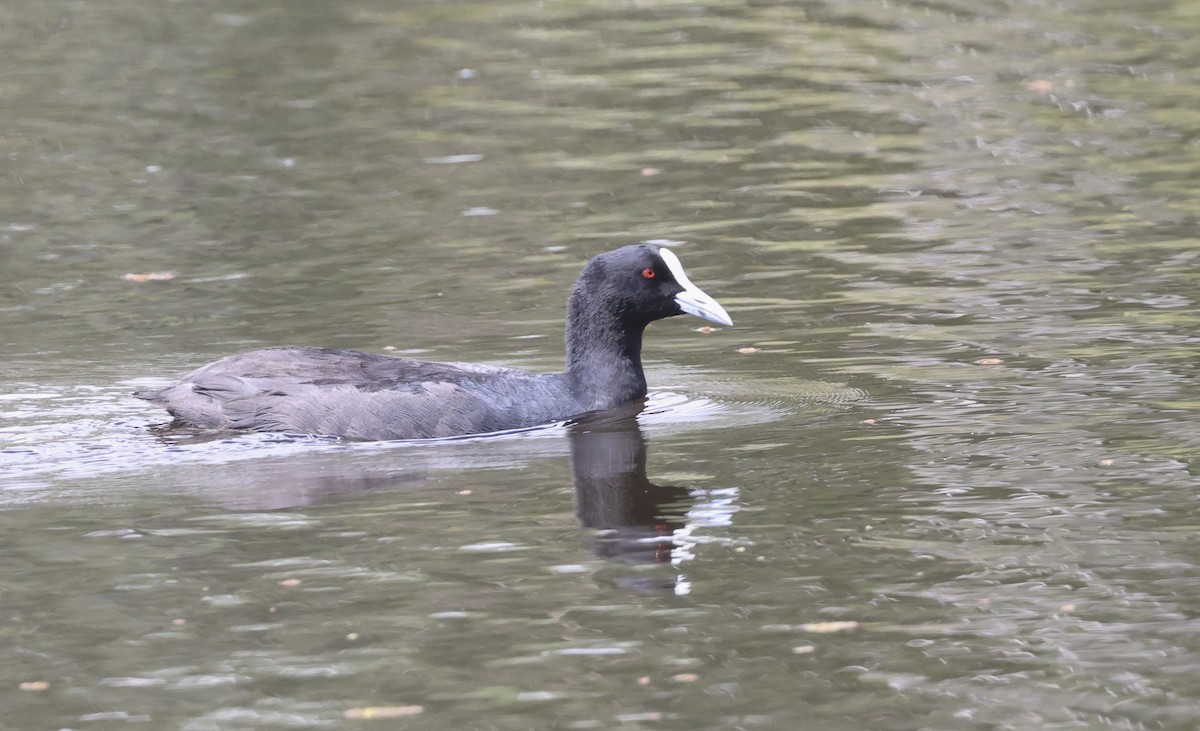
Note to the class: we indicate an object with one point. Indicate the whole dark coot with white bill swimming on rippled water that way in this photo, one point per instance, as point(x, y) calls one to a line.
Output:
point(367, 397)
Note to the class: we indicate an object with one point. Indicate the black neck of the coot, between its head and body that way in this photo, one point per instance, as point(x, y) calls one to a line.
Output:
point(604, 357)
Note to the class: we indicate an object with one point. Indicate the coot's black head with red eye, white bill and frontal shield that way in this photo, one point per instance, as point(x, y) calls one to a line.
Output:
point(640, 285)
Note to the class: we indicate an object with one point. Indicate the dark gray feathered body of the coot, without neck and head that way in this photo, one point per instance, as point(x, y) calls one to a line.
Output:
point(364, 397)
